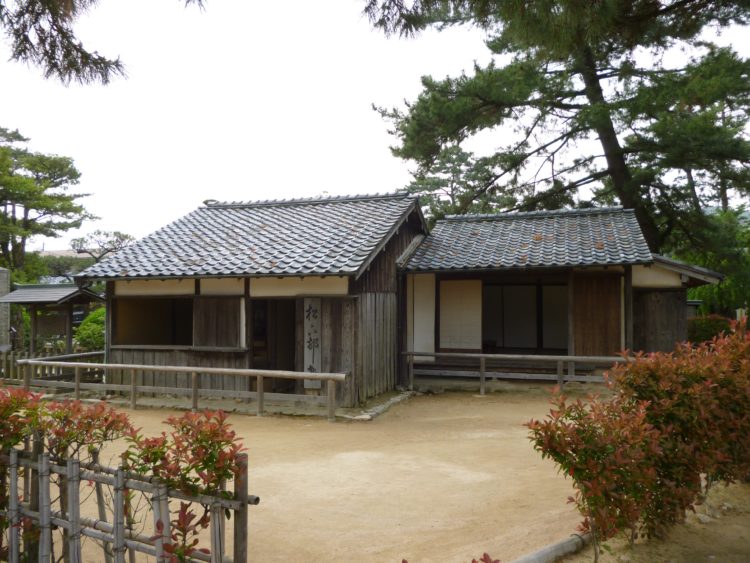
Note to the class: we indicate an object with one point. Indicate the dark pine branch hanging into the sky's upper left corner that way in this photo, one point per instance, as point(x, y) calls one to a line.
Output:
point(41, 32)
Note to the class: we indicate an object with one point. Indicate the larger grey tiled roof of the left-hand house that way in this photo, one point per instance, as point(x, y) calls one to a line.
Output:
point(334, 236)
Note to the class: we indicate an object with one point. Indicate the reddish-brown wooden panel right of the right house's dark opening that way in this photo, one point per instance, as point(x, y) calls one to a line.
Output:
point(597, 315)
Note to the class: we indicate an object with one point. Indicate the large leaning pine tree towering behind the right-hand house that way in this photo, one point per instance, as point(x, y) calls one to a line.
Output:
point(586, 103)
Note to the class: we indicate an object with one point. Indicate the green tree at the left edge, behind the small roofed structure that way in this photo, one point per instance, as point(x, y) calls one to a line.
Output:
point(34, 197)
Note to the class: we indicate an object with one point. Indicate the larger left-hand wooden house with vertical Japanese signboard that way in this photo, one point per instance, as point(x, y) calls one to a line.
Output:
point(305, 285)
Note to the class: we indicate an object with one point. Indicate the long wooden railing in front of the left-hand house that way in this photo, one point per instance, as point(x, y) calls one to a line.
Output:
point(32, 366)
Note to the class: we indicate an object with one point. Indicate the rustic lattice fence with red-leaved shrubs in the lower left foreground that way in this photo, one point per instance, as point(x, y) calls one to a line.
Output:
point(31, 483)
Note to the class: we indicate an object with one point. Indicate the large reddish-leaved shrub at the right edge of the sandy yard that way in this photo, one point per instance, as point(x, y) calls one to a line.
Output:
point(678, 423)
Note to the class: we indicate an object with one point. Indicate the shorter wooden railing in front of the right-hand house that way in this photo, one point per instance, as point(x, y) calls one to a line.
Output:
point(481, 361)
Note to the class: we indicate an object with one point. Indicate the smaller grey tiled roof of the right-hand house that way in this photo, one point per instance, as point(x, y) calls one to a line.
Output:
point(549, 239)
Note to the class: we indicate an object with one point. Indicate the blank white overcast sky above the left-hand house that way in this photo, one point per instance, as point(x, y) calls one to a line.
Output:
point(246, 100)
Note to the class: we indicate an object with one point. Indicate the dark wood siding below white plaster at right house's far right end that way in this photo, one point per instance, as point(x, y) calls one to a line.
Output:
point(659, 319)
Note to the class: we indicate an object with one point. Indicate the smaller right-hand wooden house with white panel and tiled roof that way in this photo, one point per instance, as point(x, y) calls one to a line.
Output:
point(576, 282)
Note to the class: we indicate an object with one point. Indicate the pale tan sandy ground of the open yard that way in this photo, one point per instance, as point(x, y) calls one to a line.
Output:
point(436, 479)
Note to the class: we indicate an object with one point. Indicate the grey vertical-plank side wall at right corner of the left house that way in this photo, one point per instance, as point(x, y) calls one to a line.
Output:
point(377, 351)
